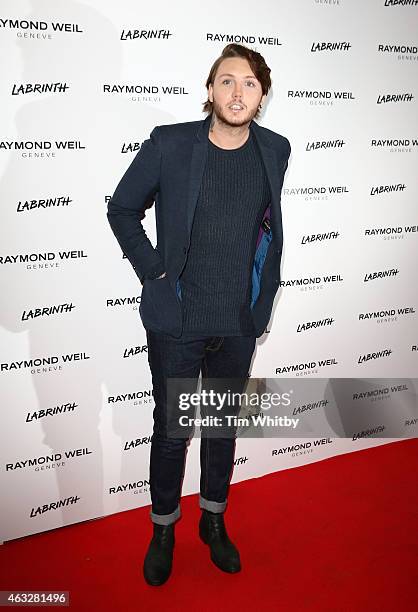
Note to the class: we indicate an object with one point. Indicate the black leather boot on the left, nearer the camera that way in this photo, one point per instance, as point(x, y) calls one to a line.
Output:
point(159, 558)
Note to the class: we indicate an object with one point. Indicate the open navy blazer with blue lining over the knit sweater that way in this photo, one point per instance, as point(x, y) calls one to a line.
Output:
point(168, 170)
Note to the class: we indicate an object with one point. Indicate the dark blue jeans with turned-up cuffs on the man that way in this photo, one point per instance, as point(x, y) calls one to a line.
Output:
point(169, 357)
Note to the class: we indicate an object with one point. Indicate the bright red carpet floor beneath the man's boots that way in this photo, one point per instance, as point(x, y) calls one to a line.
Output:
point(337, 535)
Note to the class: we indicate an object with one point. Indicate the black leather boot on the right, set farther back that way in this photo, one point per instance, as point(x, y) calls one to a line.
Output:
point(222, 551)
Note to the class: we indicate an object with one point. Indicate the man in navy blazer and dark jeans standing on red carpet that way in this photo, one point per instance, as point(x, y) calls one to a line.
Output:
point(210, 282)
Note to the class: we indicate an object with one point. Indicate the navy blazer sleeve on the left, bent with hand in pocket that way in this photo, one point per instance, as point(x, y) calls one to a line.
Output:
point(126, 209)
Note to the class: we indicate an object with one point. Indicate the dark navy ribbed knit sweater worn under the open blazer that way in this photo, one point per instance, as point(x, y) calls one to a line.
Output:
point(216, 281)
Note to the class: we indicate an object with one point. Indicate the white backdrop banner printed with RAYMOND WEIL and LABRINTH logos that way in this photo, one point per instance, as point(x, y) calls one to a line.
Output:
point(82, 86)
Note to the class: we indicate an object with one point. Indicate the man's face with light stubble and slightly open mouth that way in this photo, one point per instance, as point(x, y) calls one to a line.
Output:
point(235, 93)
